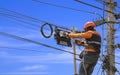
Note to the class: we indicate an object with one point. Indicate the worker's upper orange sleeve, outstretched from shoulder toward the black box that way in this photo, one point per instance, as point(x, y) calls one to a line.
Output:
point(86, 35)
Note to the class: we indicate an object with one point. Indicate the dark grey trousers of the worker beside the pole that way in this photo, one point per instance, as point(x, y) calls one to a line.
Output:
point(88, 63)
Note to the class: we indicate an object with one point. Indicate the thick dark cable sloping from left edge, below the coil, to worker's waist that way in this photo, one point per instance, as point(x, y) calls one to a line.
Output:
point(31, 41)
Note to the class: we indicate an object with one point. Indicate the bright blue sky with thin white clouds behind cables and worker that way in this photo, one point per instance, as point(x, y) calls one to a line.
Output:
point(47, 61)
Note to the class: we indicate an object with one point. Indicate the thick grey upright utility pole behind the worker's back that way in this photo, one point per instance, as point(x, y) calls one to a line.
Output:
point(110, 5)
